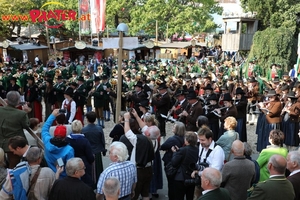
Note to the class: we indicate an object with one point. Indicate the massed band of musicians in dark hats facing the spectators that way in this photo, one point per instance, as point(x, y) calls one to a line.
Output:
point(182, 90)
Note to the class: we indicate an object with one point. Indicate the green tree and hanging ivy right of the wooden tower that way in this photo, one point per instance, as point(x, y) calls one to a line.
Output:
point(277, 40)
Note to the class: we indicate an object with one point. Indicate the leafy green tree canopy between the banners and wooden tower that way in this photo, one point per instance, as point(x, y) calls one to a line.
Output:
point(179, 15)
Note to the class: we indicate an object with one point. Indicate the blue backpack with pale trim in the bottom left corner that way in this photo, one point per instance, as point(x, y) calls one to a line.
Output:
point(20, 179)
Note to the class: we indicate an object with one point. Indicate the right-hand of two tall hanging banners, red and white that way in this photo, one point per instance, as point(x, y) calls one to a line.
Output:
point(98, 8)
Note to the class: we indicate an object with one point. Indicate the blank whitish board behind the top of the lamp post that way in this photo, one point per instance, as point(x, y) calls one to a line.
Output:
point(113, 43)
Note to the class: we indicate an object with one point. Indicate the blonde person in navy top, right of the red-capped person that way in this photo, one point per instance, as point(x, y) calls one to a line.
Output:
point(82, 149)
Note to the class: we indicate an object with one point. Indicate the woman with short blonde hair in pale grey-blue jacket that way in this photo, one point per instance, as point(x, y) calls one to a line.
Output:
point(226, 140)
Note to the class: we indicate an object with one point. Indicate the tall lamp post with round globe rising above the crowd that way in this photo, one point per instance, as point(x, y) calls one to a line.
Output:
point(121, 28)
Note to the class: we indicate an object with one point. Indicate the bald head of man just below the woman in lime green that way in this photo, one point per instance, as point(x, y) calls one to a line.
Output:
point(277, 165)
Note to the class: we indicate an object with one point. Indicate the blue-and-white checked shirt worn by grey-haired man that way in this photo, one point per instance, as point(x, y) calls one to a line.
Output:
point(125, 172)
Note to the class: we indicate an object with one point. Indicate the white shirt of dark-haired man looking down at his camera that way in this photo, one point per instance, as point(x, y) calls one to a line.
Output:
point(216, 157)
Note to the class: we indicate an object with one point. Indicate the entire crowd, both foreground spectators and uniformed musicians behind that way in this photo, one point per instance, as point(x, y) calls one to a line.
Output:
point(209, 102)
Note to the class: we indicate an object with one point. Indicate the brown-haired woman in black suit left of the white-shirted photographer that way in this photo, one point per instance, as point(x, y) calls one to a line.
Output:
point(182, 159)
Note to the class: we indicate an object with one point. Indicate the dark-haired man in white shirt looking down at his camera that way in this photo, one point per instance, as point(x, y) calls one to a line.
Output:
point(210, 155)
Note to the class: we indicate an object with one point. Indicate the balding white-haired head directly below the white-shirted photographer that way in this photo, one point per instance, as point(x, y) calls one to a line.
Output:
point(211, 178)
